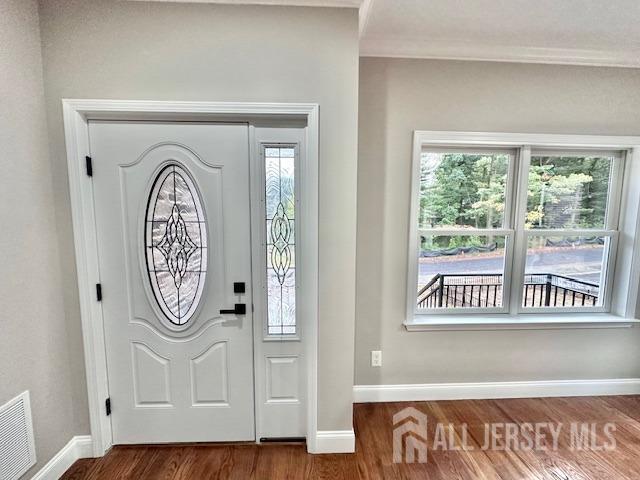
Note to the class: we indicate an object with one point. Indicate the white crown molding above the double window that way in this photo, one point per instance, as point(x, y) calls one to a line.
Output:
point(416, 48)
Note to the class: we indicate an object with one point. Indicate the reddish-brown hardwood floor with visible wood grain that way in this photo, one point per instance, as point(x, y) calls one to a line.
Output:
point(373, 458)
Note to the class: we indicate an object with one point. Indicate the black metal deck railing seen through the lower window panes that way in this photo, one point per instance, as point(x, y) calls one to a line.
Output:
point(477, 290)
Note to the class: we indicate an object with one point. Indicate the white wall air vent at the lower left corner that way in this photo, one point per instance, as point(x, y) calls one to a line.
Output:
point(17, 450)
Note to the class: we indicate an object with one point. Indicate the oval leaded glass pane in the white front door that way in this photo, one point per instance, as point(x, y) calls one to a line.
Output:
point(176, 244)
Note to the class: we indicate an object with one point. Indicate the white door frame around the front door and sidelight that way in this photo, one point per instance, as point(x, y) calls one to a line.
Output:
point(77, 114)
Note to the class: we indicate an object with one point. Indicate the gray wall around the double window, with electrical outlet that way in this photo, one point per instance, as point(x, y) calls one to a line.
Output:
point(400, 96)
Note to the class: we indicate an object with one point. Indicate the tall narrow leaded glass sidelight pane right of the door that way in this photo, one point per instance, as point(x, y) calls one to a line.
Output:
point(280, 234)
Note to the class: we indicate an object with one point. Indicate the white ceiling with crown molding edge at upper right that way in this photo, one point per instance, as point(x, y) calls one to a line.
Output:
point(580, 32)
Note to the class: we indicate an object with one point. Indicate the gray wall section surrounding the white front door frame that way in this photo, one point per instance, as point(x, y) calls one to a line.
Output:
point(164, 51)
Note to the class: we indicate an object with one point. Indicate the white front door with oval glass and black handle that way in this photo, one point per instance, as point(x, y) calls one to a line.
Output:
point(173, 234)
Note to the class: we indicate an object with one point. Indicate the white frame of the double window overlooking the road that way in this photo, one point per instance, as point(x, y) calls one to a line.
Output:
point(618, 307)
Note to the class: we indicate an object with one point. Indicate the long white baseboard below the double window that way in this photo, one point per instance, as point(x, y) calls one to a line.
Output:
point(487, 390)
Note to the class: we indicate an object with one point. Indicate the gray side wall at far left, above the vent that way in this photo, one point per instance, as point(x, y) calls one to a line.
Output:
point(33, 335)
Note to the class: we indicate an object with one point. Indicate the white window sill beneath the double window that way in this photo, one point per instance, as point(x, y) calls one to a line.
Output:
point(517, 322)
